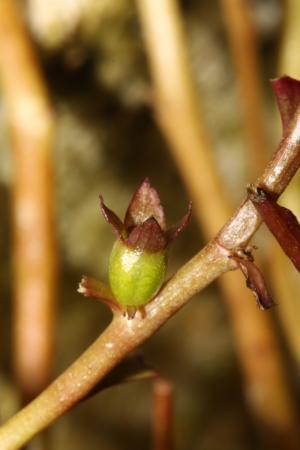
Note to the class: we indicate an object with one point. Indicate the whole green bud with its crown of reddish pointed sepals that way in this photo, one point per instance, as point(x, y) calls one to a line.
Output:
point(138, 260)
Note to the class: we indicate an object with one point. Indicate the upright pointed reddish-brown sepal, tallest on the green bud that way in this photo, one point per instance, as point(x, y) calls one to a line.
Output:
point(145, 203)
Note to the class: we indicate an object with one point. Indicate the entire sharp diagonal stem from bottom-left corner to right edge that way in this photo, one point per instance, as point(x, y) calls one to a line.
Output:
point(122, 335)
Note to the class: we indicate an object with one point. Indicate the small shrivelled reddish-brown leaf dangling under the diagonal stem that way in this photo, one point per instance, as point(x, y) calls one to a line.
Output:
point(255, 281)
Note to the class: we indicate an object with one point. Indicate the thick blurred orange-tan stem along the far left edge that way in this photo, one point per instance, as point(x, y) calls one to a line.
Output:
point(34, 252)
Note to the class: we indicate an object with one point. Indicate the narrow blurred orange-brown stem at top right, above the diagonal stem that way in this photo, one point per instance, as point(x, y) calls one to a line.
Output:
point(242, 41)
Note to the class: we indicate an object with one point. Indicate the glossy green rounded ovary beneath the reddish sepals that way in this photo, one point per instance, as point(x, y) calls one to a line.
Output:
point(135, 275)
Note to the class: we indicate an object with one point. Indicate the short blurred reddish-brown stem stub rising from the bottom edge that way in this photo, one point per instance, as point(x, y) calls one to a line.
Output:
point(162, 415)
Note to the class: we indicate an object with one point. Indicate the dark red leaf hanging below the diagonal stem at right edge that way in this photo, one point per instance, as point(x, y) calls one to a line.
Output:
point(282, 223)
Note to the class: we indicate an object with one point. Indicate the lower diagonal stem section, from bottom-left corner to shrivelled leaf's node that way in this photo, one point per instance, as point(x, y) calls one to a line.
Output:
point(120, 337)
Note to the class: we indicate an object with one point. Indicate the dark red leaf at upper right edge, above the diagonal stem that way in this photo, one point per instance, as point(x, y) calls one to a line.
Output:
point(287, 91)
